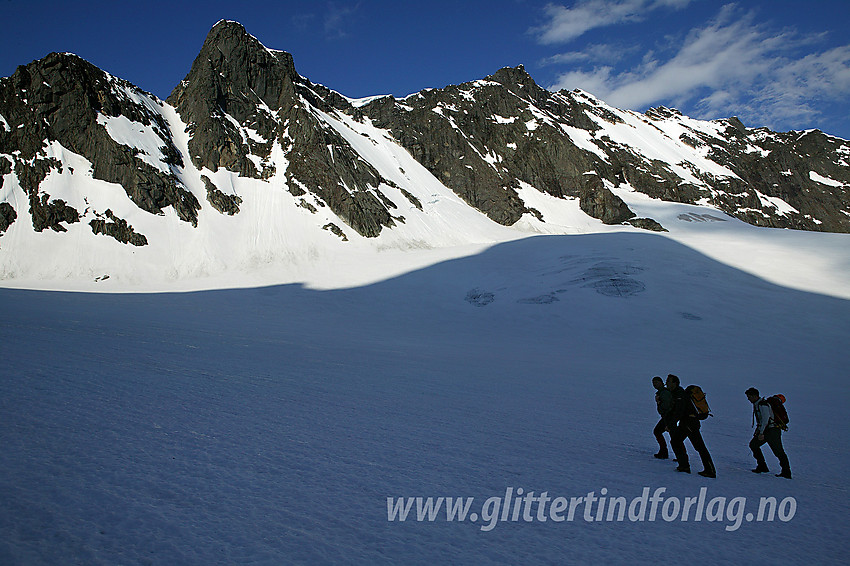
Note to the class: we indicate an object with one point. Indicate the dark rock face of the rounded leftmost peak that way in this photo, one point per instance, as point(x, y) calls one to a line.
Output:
point(60, 98)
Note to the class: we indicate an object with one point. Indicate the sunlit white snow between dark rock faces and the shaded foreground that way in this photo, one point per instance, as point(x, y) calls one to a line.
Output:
point(274, 240)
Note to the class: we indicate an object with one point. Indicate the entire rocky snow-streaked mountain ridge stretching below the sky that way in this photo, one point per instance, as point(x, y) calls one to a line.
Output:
point(244, 121)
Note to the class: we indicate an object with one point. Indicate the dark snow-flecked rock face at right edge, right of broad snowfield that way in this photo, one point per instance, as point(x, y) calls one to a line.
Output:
point(767, 166)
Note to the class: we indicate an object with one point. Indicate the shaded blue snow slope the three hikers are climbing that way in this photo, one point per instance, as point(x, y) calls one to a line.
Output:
point(269, 425)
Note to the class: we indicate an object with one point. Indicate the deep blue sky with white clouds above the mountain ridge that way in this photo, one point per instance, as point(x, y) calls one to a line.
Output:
point(781, 64)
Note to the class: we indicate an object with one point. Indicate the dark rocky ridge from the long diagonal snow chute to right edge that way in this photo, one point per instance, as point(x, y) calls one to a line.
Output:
point(482, 138)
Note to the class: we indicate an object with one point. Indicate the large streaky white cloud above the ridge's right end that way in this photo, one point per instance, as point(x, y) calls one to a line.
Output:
point(732, 65)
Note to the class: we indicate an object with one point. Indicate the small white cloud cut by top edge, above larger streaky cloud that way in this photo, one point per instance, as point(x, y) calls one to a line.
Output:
point(566, 24)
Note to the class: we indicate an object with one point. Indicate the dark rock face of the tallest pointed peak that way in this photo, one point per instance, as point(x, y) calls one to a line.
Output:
point(240, 98)
